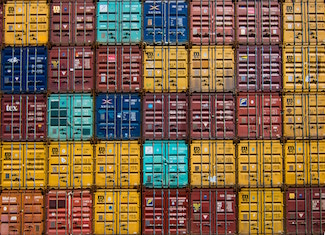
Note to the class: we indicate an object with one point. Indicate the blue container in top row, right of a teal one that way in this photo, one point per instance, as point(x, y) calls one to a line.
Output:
point(165, 22)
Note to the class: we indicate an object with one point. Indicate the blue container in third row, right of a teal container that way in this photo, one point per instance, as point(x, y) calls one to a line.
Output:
point(118, 116)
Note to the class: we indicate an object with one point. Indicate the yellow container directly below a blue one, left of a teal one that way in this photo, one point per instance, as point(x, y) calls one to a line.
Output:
point(117, 164)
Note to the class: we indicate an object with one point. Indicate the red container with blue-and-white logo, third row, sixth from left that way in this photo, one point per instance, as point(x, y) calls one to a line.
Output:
point(259, 116)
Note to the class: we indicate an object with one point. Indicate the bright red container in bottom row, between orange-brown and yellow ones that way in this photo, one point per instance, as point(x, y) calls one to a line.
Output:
point(68, 212)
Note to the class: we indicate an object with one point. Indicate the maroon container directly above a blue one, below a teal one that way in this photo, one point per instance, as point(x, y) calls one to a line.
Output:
point(119, 69)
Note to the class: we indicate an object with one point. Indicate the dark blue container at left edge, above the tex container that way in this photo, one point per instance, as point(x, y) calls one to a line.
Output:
point(24, 70)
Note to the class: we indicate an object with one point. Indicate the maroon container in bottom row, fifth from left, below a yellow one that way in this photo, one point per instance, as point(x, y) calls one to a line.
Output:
point(213, 211)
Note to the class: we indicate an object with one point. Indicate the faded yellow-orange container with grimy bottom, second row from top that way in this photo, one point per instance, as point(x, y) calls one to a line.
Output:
point(212, 68)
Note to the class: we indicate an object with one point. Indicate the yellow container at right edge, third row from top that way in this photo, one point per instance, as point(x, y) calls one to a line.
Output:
point(304, 116)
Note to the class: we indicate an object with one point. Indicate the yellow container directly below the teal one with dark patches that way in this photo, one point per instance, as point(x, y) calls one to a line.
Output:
point(70, 165)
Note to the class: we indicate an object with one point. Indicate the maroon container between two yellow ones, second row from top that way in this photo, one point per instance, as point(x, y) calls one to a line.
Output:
point(259, 68)
